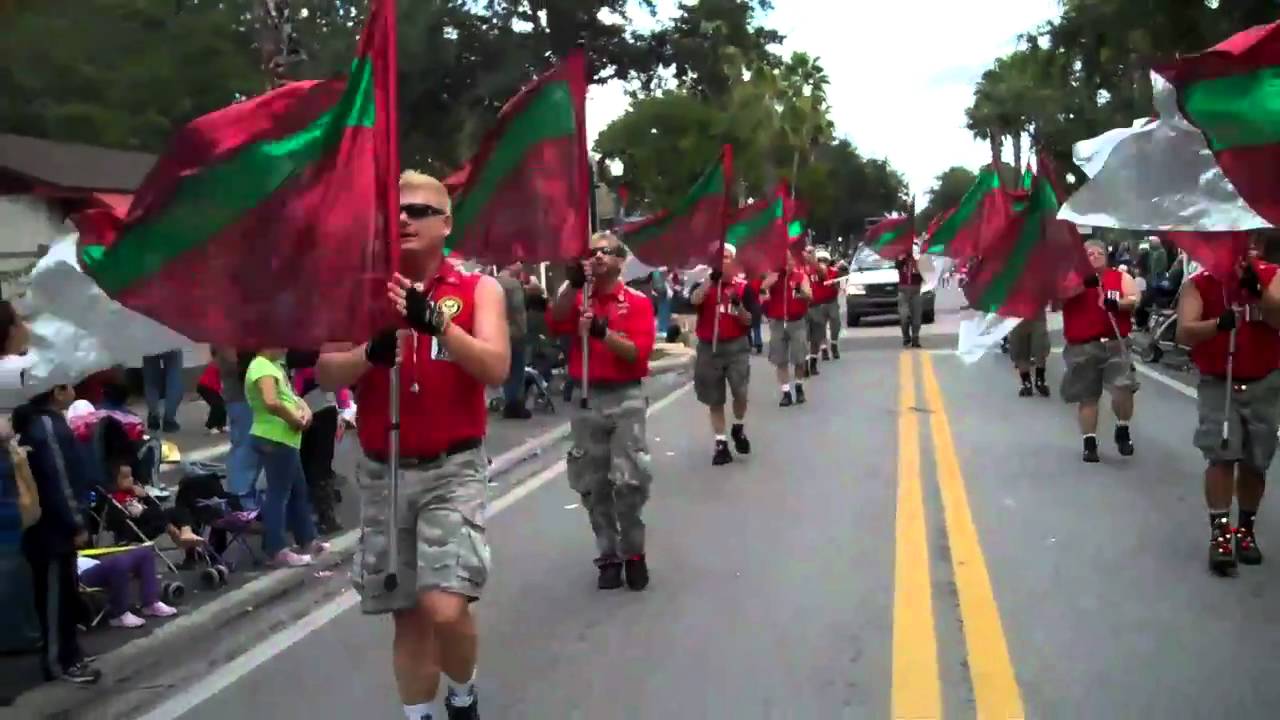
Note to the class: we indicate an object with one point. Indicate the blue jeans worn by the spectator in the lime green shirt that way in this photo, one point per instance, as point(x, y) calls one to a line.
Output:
point(287, 503)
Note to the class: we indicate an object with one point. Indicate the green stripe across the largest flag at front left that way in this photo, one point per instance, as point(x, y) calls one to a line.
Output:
point(208, 203)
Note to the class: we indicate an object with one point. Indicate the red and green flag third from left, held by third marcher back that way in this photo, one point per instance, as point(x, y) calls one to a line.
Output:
point(692, 233)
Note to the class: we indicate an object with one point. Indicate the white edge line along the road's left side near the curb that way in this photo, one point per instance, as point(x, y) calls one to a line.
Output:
point(277, 644)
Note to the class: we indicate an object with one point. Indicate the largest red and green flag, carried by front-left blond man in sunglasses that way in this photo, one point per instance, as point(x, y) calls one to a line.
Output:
point(272, 222)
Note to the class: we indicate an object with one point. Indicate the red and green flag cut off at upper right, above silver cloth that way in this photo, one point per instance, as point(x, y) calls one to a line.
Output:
point(1232, 94)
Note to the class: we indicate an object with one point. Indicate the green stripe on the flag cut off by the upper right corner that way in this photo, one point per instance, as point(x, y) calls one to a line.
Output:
point(1240, 111)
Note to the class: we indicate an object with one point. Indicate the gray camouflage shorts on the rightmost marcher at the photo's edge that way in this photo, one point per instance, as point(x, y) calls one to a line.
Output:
point(1251, 426)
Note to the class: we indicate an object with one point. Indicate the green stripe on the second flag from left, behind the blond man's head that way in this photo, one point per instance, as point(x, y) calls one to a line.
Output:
point(548, 116)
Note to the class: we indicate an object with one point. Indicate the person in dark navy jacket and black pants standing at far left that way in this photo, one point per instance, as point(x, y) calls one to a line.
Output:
point(51, 544)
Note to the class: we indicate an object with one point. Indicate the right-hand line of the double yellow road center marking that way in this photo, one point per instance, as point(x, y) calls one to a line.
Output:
point(995, 686)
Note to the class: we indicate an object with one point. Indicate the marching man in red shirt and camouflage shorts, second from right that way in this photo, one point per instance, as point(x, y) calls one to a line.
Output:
point(1096, 323)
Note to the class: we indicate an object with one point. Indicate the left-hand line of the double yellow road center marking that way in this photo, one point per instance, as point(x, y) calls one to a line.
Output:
point(917, 692)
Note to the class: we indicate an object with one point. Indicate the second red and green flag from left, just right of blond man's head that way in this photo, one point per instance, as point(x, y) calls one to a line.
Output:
point(527, 194)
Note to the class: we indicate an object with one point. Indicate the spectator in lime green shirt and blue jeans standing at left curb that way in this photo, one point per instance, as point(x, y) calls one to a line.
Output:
point(280, 418)
